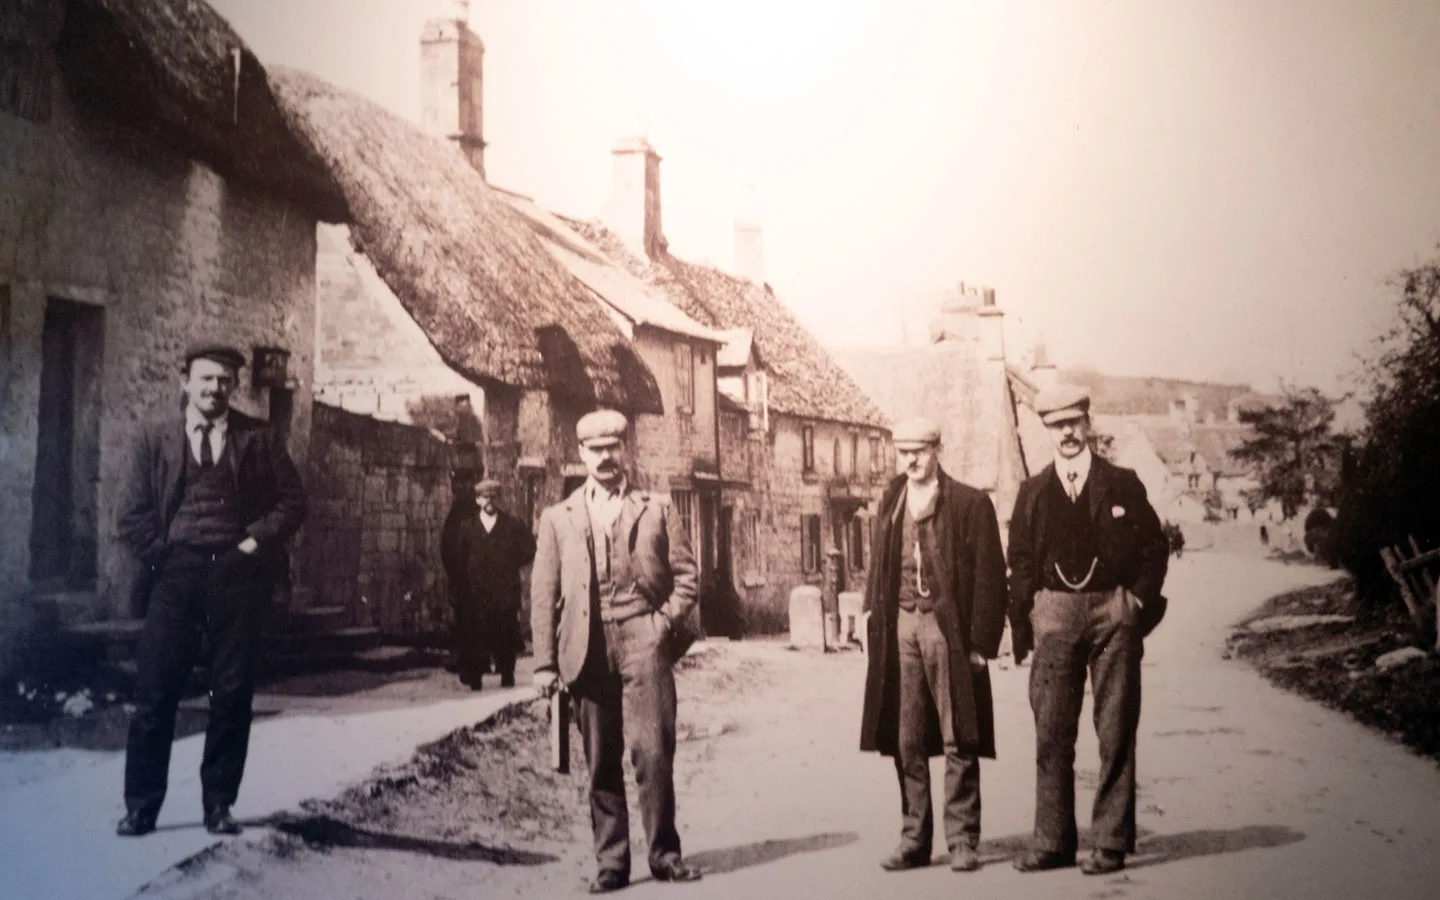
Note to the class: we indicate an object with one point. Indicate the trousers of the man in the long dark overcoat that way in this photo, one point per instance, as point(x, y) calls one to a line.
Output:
point(925, 682)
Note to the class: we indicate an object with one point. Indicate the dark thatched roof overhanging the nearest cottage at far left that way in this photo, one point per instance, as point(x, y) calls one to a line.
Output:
point(178, 70)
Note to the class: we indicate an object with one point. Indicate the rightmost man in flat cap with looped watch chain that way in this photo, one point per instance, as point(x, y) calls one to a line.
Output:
point(1088, 559)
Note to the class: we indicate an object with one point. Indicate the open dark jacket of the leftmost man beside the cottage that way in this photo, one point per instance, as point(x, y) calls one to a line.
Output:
point(267, 486)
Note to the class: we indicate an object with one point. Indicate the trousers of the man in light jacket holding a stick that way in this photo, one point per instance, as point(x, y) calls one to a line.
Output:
point(626, 696)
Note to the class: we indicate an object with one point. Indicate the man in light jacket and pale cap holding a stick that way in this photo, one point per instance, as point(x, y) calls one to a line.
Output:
point(611, 593)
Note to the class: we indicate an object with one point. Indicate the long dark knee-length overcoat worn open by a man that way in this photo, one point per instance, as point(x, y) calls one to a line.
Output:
point(970, 610)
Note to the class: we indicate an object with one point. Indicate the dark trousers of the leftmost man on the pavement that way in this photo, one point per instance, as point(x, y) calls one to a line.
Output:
point(222, 597)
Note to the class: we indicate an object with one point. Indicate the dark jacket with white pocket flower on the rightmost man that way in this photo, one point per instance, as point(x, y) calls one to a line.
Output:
point(1128, 536)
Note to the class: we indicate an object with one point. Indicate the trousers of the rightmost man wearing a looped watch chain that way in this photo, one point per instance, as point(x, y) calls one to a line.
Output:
point(1075, 634)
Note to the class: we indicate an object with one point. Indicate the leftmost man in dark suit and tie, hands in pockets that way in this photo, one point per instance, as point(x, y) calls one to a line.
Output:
point(210, 503)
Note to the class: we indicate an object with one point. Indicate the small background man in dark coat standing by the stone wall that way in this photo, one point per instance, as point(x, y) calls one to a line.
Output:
point(492, 549)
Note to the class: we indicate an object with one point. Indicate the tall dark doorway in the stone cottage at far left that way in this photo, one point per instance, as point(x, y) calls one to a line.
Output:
point(67, 464)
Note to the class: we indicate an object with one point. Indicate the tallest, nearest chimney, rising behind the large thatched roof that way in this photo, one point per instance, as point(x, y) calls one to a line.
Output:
point(451, 84)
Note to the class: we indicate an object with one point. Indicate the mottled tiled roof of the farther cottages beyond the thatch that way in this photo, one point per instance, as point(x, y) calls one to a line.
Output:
point(804, 381)
